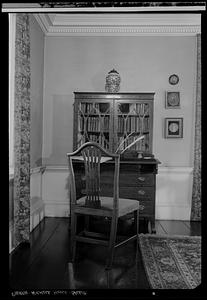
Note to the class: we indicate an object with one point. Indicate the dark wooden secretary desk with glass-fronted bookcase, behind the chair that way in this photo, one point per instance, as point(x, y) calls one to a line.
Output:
point(115, 120)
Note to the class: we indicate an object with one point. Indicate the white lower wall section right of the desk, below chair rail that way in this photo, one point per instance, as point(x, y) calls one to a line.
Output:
point(173, 193)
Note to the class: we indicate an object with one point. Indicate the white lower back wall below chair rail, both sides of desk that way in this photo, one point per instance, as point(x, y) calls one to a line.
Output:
point(173, 196)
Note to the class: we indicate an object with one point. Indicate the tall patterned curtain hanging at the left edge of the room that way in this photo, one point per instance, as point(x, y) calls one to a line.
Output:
point(22, 131)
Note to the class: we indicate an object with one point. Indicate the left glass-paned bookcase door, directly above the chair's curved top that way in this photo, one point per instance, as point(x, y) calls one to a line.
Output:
point(94, 123)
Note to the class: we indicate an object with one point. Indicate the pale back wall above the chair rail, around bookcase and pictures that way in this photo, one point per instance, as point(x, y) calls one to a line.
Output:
point(145, 63)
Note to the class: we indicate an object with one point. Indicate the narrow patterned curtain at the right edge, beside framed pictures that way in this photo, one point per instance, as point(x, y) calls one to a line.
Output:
point(196, 197)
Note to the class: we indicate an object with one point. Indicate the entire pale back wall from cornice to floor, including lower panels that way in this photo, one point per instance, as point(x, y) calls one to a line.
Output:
point(145, 64)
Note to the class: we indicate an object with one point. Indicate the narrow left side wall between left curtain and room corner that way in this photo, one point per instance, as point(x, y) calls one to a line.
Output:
point(37, 75)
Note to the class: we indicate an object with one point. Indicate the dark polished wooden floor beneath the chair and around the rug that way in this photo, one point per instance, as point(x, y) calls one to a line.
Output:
point(44, 264)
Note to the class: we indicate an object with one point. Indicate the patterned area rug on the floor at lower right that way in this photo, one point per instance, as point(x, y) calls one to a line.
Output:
point(171, 262)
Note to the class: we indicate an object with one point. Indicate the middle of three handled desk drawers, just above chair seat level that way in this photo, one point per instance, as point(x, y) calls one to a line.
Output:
point(145, 193)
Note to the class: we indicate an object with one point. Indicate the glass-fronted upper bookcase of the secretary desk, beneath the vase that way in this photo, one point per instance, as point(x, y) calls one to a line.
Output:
point(122, 121)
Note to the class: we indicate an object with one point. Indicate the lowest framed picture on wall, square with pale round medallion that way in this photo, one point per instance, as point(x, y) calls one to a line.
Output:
point(173, 128)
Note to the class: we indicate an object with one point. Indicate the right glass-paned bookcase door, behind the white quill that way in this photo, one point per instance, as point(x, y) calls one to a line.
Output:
point(133, 119)
